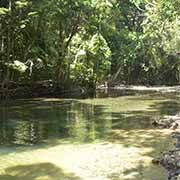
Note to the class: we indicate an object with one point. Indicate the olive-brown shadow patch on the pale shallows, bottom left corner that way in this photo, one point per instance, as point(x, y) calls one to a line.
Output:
point(41, 171)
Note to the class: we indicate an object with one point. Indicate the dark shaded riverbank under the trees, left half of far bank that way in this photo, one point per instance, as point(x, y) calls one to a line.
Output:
point(44, 89)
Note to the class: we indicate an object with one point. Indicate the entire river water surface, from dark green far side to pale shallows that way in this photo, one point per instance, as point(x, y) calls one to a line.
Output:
point(102, 138)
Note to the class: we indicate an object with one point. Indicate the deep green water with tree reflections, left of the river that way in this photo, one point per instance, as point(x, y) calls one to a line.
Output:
point(33, 123)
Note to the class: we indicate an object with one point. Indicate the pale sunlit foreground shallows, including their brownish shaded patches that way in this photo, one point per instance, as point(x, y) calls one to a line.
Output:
point(128, 159)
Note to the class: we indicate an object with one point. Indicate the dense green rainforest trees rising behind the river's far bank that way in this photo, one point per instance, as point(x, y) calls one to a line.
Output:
point(58, 45)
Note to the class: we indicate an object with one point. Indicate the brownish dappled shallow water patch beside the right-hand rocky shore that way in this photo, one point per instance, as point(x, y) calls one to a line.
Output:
point(156, 141)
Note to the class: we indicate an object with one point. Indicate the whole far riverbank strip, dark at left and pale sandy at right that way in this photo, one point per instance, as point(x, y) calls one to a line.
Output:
point(48, 90)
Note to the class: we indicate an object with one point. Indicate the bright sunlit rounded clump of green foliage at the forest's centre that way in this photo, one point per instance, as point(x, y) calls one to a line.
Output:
point(91, 61)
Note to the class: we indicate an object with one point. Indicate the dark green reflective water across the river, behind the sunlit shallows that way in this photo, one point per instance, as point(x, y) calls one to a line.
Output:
point(32, 122)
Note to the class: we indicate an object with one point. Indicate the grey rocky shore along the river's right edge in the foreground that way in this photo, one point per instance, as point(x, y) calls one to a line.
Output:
point(170, 160)
